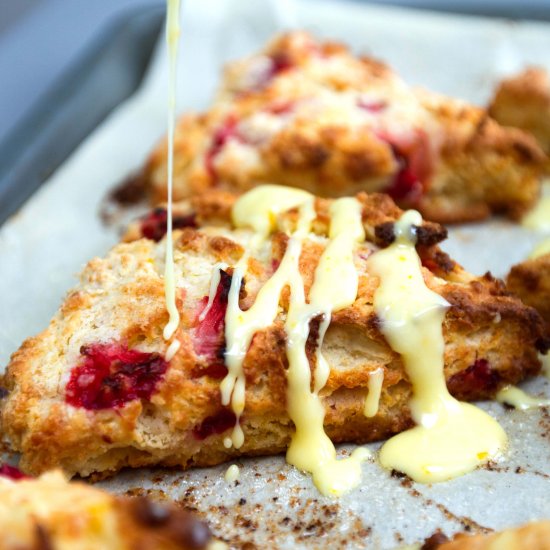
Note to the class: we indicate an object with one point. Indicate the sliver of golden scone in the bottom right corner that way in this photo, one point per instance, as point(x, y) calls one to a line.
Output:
point(533, 536)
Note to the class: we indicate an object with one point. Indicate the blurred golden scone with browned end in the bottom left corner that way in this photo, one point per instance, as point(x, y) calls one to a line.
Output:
point(49, 512)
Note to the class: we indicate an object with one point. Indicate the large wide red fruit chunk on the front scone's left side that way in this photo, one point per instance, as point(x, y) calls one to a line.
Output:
point(110, 375)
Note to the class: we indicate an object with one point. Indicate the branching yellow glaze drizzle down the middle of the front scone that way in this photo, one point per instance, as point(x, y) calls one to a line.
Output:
point(334, 287)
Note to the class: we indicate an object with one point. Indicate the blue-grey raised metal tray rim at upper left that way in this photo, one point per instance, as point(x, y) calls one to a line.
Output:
point(108, 72)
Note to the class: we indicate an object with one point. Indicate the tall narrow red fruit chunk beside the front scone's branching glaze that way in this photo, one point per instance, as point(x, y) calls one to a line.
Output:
point(209, 335)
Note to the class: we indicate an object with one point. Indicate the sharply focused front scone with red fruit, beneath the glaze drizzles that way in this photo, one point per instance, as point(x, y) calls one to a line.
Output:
point(94, 391)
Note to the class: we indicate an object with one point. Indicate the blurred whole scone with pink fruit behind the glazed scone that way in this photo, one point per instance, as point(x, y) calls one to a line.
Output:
point(309, 114)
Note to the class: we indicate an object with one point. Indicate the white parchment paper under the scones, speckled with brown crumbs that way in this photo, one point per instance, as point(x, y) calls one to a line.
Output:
point(273, 505)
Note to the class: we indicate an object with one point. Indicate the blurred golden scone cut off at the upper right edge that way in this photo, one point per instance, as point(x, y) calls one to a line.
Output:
point(523, 101)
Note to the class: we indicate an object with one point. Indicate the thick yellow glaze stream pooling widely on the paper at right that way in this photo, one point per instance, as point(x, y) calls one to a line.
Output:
point(451, 438)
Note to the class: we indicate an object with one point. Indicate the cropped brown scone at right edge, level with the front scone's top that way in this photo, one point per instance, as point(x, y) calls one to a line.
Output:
point(530, 280)
